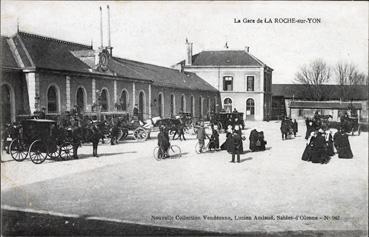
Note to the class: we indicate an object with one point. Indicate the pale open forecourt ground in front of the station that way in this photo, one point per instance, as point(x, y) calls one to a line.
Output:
point(125, 183)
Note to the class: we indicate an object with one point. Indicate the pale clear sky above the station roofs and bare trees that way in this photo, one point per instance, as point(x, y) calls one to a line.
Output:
point(155, 32)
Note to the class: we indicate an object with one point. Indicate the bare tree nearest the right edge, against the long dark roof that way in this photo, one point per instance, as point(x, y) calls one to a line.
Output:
point(348, 77)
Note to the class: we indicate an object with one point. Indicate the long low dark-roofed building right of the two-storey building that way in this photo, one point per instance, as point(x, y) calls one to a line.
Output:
point(296, 101)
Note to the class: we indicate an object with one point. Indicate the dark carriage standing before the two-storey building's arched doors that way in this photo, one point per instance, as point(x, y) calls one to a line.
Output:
point(223, 119)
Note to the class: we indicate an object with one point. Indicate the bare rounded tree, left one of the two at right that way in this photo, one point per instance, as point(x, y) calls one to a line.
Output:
point(313, 76)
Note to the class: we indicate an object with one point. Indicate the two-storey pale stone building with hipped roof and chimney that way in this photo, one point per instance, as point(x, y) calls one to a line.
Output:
point(244, 82)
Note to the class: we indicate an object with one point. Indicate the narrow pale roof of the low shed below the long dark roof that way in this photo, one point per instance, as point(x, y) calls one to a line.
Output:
point(324, 105)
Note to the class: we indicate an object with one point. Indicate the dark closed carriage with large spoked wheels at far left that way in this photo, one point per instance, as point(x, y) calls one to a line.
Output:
point(38, 140)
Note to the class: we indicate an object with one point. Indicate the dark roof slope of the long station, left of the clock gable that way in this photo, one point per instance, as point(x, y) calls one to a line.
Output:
point(50, 53)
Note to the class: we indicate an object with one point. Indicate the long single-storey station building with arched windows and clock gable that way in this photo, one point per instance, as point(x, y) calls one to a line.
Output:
point(39, 71)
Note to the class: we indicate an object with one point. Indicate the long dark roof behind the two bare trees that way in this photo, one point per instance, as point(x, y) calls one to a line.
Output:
point(331, 92)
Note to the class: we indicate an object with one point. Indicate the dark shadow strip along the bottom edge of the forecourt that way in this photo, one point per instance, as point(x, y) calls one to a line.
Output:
point(17, 223)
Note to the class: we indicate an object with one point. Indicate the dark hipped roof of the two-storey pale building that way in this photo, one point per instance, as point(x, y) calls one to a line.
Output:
point(225, 58)
